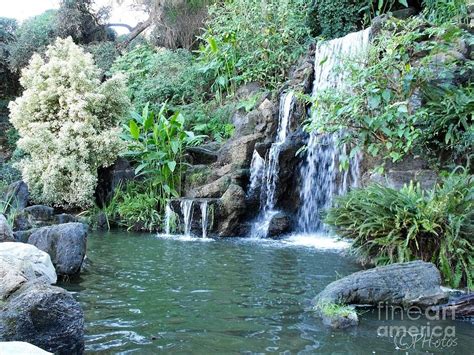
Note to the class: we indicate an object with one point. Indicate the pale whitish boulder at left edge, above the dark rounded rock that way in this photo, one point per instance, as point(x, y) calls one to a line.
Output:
point(20, 263)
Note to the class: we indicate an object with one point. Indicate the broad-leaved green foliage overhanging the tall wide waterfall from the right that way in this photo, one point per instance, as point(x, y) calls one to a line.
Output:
point(395, 105)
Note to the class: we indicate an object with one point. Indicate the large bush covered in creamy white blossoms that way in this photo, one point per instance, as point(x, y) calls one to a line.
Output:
point(68, 124)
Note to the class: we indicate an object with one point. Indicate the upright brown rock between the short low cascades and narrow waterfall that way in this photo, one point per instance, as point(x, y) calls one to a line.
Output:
point(233, 208)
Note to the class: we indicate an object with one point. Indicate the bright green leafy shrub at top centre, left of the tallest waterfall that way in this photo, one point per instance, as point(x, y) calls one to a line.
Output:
point(248, 41)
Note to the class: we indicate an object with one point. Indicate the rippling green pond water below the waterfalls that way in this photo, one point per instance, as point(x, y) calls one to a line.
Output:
point(144, 294)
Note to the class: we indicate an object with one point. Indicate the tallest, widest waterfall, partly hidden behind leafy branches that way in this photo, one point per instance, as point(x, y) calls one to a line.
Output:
point(320, 176)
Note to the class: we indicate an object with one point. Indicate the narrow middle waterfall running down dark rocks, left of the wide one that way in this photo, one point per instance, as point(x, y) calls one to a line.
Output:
point(270, 169)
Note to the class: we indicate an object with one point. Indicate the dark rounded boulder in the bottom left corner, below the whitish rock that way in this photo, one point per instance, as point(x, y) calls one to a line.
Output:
point(43, 315)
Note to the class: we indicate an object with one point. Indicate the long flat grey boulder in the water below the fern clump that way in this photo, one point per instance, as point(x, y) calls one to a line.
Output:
point(416, 283)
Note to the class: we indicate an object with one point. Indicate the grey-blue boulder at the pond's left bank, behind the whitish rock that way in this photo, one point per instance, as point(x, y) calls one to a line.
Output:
point(65, 243)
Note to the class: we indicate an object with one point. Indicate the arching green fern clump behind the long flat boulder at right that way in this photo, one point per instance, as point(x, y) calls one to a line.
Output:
point(390, 226)
